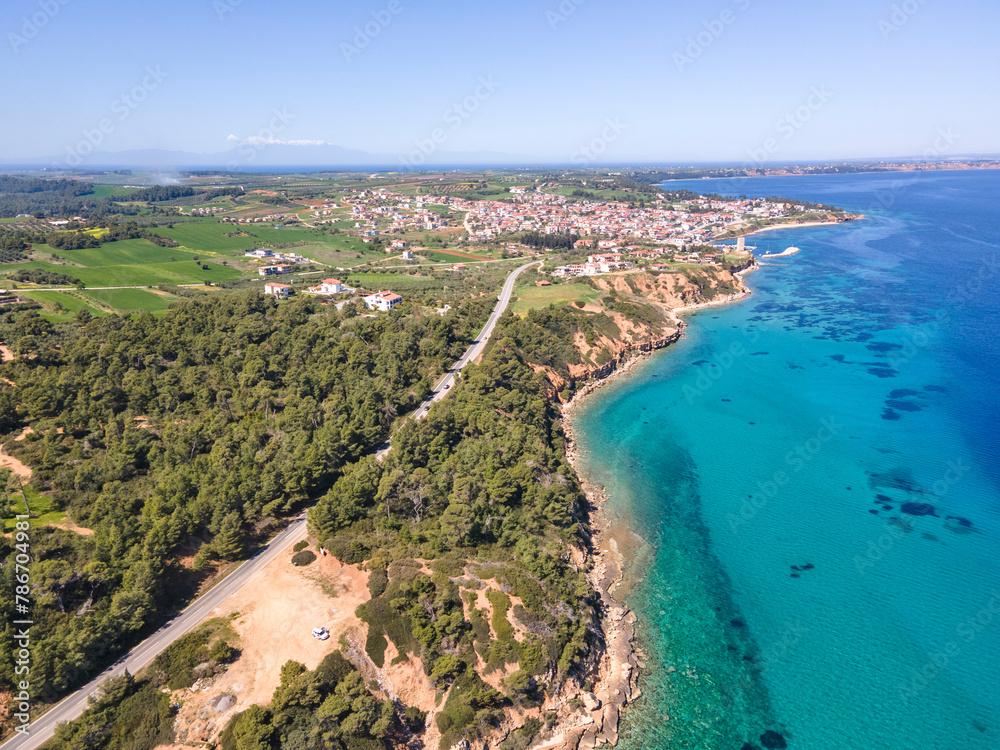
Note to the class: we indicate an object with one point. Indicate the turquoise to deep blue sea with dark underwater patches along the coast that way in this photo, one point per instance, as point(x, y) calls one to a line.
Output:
point(816, 474)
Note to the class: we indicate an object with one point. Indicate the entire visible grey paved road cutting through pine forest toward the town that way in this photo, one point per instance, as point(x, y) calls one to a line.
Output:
point(42, 729)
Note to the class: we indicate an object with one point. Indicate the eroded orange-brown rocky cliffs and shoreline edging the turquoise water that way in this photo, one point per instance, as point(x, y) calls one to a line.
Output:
point(590, 718)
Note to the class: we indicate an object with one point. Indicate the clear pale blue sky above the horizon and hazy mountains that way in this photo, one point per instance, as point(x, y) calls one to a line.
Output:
point(727, 80)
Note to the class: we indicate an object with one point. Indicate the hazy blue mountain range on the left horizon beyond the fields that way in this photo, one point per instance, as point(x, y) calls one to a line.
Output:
point(250, 158)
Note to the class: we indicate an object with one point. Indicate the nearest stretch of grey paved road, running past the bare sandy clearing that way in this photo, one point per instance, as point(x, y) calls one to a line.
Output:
point(42, 729)
